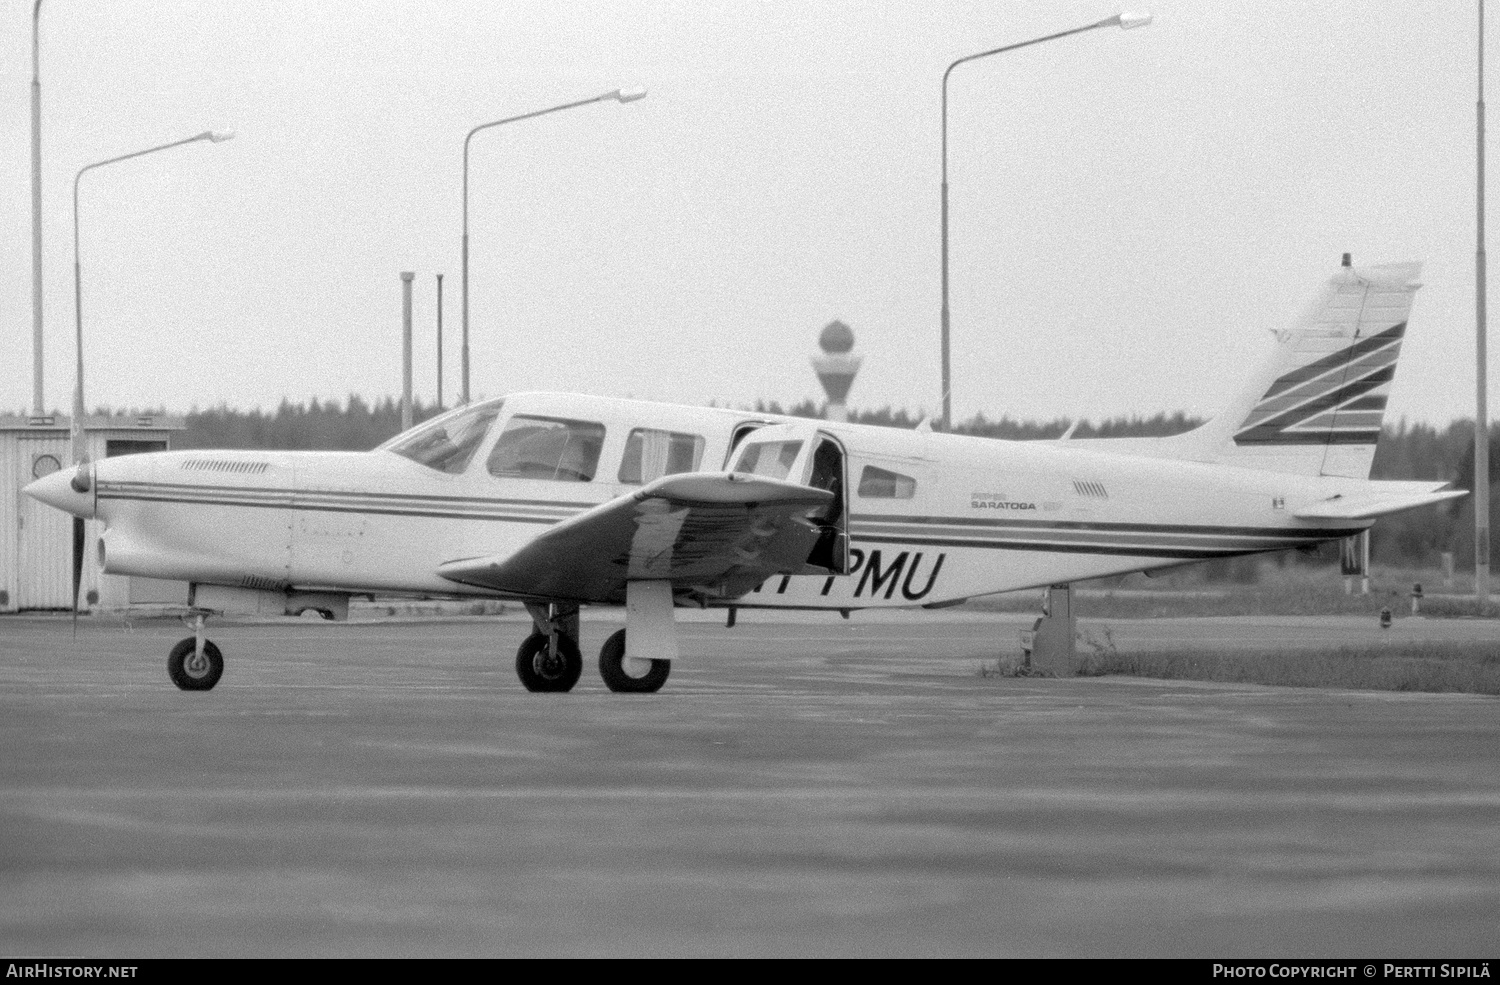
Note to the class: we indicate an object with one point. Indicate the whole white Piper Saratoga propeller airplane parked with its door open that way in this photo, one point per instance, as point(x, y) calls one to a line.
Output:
point(562, 501)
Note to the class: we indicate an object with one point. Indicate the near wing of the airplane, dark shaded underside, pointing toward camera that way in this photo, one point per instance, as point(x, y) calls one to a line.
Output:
point(718, 534)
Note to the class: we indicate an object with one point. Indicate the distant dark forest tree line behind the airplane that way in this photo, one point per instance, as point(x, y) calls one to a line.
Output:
point(1415, 452)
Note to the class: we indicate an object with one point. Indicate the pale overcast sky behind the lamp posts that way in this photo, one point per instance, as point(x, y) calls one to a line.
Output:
point(1132, 212)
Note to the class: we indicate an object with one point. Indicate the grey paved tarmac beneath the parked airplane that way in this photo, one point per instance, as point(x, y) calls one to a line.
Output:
point(803, 786)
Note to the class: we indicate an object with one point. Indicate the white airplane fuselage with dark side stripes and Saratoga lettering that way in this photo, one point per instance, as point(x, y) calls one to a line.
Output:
point(970, 516)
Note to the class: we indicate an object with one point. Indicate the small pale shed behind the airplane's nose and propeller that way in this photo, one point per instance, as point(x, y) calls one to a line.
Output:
point(37, 540)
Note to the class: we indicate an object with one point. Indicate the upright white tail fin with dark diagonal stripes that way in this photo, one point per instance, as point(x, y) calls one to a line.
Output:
point(1315, 407)
